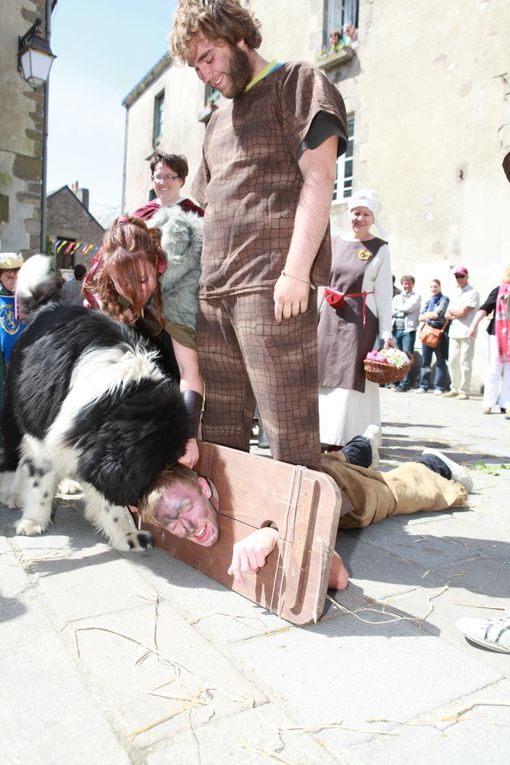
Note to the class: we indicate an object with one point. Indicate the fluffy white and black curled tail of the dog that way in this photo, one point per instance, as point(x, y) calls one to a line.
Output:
point(37, 284)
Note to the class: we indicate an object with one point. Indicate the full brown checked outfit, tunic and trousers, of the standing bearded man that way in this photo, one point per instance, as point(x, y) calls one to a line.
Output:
point(250, 182)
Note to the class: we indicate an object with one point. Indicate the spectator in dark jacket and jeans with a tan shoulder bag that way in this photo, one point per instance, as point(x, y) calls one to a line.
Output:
point(433, 314)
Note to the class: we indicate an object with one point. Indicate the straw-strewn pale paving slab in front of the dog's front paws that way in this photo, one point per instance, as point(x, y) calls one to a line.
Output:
point(148, 664)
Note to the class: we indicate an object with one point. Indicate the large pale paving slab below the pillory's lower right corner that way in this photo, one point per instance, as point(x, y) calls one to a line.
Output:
point(352, 671)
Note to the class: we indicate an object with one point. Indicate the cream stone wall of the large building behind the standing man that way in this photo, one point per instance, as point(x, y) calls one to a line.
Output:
point(429, 88)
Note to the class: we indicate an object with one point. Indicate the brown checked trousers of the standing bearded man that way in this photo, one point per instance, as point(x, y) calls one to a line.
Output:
point(250, 357)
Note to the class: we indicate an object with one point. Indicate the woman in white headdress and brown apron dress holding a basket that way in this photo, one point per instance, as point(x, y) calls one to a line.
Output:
point(349, 326)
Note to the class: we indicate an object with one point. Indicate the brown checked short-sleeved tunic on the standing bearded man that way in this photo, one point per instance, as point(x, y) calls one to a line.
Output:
point(250, 178)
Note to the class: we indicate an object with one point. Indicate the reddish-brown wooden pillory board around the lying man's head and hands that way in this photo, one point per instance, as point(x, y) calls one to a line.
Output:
point(254, 492)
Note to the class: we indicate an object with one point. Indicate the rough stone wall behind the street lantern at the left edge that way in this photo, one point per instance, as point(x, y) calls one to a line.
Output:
point(21, 129)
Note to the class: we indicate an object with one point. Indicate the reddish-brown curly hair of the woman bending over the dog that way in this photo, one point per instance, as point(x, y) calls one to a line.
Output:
point(125, 243)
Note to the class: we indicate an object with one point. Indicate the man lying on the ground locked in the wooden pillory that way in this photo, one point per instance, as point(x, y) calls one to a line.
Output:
point(187, 504)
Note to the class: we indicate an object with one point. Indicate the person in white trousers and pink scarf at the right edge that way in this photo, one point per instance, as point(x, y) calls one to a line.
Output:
point(496, 391)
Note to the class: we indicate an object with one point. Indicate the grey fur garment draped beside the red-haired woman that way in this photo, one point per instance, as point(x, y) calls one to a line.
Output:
point(181, 240)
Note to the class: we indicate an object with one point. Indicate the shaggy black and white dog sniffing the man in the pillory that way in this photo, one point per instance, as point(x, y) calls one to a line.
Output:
point(85, 399)
